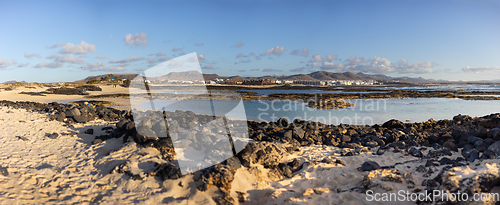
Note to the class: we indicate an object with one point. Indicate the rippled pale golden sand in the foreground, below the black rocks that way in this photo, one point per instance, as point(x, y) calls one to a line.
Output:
point(70, 169)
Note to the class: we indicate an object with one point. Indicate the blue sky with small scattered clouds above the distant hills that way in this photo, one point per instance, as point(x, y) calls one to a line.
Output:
point(52, 41)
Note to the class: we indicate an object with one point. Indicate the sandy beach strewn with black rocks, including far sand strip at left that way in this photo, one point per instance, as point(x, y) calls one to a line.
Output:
point(51, 160)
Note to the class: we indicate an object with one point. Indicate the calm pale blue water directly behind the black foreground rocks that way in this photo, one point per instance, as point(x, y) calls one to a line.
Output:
point(365, 111)
